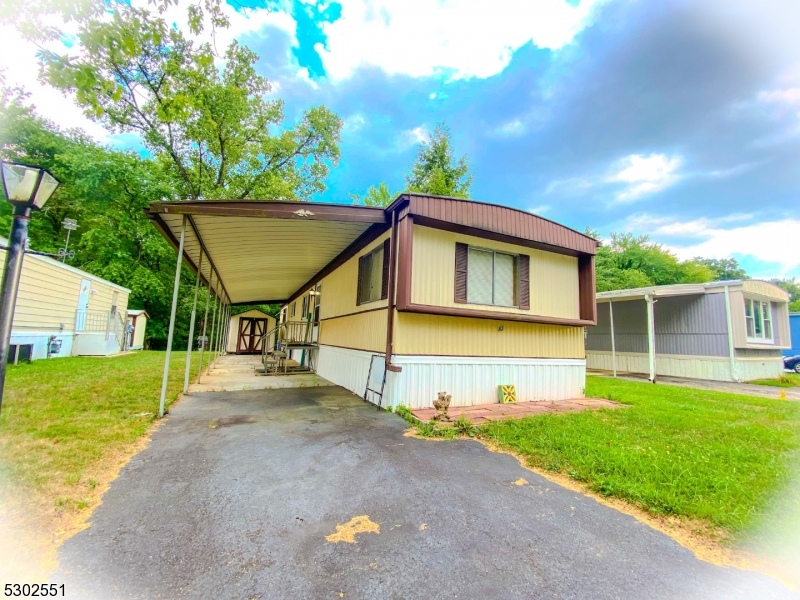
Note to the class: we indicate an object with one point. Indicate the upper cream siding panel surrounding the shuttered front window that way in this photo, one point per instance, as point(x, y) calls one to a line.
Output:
point(553, 277)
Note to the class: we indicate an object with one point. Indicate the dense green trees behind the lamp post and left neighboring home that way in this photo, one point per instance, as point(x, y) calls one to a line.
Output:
point(106, 191)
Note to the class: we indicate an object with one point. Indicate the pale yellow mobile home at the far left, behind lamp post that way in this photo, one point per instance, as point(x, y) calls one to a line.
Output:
point(63, 311)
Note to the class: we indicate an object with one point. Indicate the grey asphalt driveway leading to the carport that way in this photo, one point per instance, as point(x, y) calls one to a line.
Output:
point(238, 491)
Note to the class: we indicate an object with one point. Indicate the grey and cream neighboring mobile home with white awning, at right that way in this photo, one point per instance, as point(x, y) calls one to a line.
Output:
point(724, 331)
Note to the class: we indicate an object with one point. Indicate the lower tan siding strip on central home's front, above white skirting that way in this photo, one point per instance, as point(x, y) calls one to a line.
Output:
point(460, 336)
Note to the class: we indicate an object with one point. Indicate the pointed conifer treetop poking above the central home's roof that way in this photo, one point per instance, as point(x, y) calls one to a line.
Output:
point(435, 170)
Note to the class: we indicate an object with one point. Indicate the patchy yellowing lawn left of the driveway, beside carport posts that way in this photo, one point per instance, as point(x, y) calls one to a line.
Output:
point(67, 423)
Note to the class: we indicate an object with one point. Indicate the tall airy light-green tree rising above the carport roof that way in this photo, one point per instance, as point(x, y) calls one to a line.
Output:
point(210, 127)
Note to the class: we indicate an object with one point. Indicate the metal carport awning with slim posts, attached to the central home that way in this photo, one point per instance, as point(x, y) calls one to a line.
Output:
point(255, 252)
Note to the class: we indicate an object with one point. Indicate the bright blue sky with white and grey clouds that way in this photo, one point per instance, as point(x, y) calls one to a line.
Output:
point(678, 119)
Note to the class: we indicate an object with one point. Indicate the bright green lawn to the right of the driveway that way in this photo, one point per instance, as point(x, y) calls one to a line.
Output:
point(716, 457)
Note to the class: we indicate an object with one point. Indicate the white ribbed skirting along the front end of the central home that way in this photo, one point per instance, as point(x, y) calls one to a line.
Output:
point(474, 380)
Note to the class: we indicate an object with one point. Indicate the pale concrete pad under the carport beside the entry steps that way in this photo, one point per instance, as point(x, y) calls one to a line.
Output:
point(236, 372)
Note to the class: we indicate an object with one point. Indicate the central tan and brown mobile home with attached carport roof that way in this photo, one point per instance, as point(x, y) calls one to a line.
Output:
point(430, 294)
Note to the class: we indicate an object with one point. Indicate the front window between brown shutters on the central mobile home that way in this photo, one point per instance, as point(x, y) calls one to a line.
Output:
point(491, 277)
